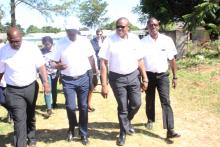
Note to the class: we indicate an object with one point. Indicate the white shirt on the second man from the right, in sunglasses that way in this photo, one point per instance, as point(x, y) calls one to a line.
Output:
point(121, 54)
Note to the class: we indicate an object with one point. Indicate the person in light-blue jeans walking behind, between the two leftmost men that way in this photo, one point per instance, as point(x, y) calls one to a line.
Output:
point(48, 53)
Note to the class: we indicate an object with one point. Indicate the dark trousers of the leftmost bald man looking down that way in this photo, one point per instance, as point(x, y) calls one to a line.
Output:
point(21, 102)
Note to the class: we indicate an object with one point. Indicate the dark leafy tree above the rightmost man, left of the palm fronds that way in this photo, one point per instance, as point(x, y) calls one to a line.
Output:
point(167, 11)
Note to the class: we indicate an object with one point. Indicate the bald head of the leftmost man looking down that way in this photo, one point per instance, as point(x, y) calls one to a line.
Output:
point(14, 37)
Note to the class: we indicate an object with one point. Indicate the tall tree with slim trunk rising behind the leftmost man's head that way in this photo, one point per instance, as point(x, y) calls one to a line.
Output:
point(43, 6)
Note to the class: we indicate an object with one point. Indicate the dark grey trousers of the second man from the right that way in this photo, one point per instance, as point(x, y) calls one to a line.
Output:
point(126, 89)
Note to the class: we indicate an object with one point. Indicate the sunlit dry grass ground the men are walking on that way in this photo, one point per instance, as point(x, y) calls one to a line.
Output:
point(195, 102)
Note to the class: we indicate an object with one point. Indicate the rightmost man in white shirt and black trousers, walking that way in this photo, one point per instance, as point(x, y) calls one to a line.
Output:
point(158, 50)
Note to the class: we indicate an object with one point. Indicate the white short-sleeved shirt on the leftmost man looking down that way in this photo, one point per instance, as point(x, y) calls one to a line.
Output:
point(20, 66)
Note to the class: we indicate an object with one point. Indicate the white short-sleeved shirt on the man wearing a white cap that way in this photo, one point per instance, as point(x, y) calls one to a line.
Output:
point(75, 55)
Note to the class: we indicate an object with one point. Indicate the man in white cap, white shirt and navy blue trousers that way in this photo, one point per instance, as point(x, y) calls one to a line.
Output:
point(74, 56)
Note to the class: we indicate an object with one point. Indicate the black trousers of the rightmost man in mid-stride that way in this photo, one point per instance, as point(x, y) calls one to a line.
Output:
point(159, 81)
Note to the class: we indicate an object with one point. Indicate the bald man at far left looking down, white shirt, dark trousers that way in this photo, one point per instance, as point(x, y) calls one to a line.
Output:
point(19, 62)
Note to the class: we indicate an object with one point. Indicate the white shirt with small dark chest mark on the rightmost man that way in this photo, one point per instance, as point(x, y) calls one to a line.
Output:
point(158, 52)
